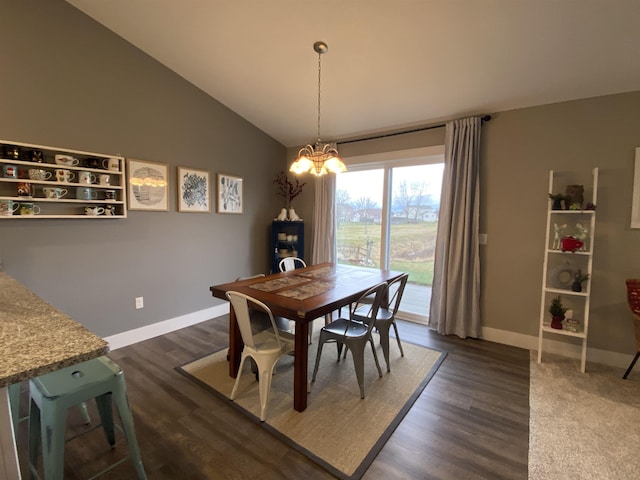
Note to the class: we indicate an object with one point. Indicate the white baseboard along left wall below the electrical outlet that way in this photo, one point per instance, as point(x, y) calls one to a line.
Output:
point(149, 331)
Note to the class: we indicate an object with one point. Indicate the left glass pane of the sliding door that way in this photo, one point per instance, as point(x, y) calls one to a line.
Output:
point(359, 217)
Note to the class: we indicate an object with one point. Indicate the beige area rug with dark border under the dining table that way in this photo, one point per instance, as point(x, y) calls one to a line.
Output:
point(340, 431)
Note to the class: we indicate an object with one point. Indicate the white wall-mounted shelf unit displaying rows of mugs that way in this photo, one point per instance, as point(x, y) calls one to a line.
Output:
point(68, 206)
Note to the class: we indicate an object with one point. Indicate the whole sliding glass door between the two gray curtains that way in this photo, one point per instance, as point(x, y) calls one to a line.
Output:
point(387, 215)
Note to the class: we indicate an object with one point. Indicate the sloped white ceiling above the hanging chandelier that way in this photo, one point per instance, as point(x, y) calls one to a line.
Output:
point(391, 64)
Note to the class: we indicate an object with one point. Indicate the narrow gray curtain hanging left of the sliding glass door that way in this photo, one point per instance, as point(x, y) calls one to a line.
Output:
point(324, 220)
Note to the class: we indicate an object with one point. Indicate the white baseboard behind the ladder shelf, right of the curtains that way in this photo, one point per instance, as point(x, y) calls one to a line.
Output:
point(529, 342)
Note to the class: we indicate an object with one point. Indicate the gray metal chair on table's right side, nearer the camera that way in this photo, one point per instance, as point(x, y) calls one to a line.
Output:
point(354, 332)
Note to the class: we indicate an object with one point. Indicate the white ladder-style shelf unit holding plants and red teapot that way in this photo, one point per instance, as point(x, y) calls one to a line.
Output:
point(559, 268)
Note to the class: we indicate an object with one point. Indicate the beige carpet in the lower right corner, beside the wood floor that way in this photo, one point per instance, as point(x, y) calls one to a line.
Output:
point(583, 426)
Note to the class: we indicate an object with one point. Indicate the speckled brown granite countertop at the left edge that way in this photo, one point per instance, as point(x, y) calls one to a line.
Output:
point(36, 338)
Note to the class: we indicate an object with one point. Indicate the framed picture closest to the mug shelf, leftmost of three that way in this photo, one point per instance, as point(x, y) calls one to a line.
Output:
point(147, 185)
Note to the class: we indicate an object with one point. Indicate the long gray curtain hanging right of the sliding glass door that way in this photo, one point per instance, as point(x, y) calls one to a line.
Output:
point(455, 296)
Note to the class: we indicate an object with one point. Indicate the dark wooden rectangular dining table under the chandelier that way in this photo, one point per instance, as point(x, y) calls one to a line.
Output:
point(301, 295)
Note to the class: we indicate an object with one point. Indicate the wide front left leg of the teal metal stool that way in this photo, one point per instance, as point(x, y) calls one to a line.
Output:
point(53, 422)
